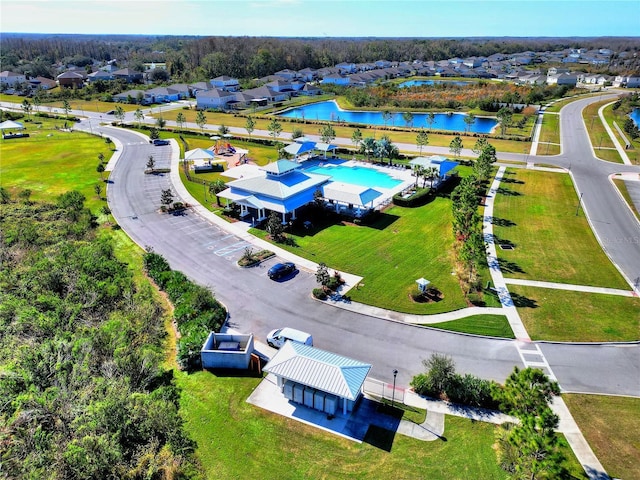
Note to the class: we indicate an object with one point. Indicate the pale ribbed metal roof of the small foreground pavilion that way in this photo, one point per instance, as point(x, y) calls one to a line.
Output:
point(322, 370)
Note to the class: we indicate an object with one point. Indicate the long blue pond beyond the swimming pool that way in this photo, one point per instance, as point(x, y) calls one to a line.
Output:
point(329, 111)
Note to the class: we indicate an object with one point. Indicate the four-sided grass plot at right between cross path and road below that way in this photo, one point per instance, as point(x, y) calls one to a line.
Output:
point(568, 316)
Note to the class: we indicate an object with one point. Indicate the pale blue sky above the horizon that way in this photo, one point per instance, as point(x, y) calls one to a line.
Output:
point(326, 18)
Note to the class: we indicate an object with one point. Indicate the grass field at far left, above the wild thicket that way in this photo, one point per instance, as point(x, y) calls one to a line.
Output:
point(51, 162)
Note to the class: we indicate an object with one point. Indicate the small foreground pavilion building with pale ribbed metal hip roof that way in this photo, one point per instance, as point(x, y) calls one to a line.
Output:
point(313, 372)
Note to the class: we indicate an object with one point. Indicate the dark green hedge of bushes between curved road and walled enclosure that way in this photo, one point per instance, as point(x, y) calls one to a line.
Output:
point(196, 313)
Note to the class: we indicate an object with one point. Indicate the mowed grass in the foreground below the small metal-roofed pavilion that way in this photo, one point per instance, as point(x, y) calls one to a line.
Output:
point(238, 440)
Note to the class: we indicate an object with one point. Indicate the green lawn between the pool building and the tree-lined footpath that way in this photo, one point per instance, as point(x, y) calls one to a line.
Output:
point(403, 245)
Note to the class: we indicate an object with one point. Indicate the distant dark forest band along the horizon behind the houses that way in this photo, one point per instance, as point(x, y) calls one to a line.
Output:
point(197, 58)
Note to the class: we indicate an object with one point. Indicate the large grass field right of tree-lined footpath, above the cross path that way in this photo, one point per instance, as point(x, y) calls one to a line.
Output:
point(536, 212)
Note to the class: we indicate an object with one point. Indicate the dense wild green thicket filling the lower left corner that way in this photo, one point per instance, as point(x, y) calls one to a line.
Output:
point(84, 394)
